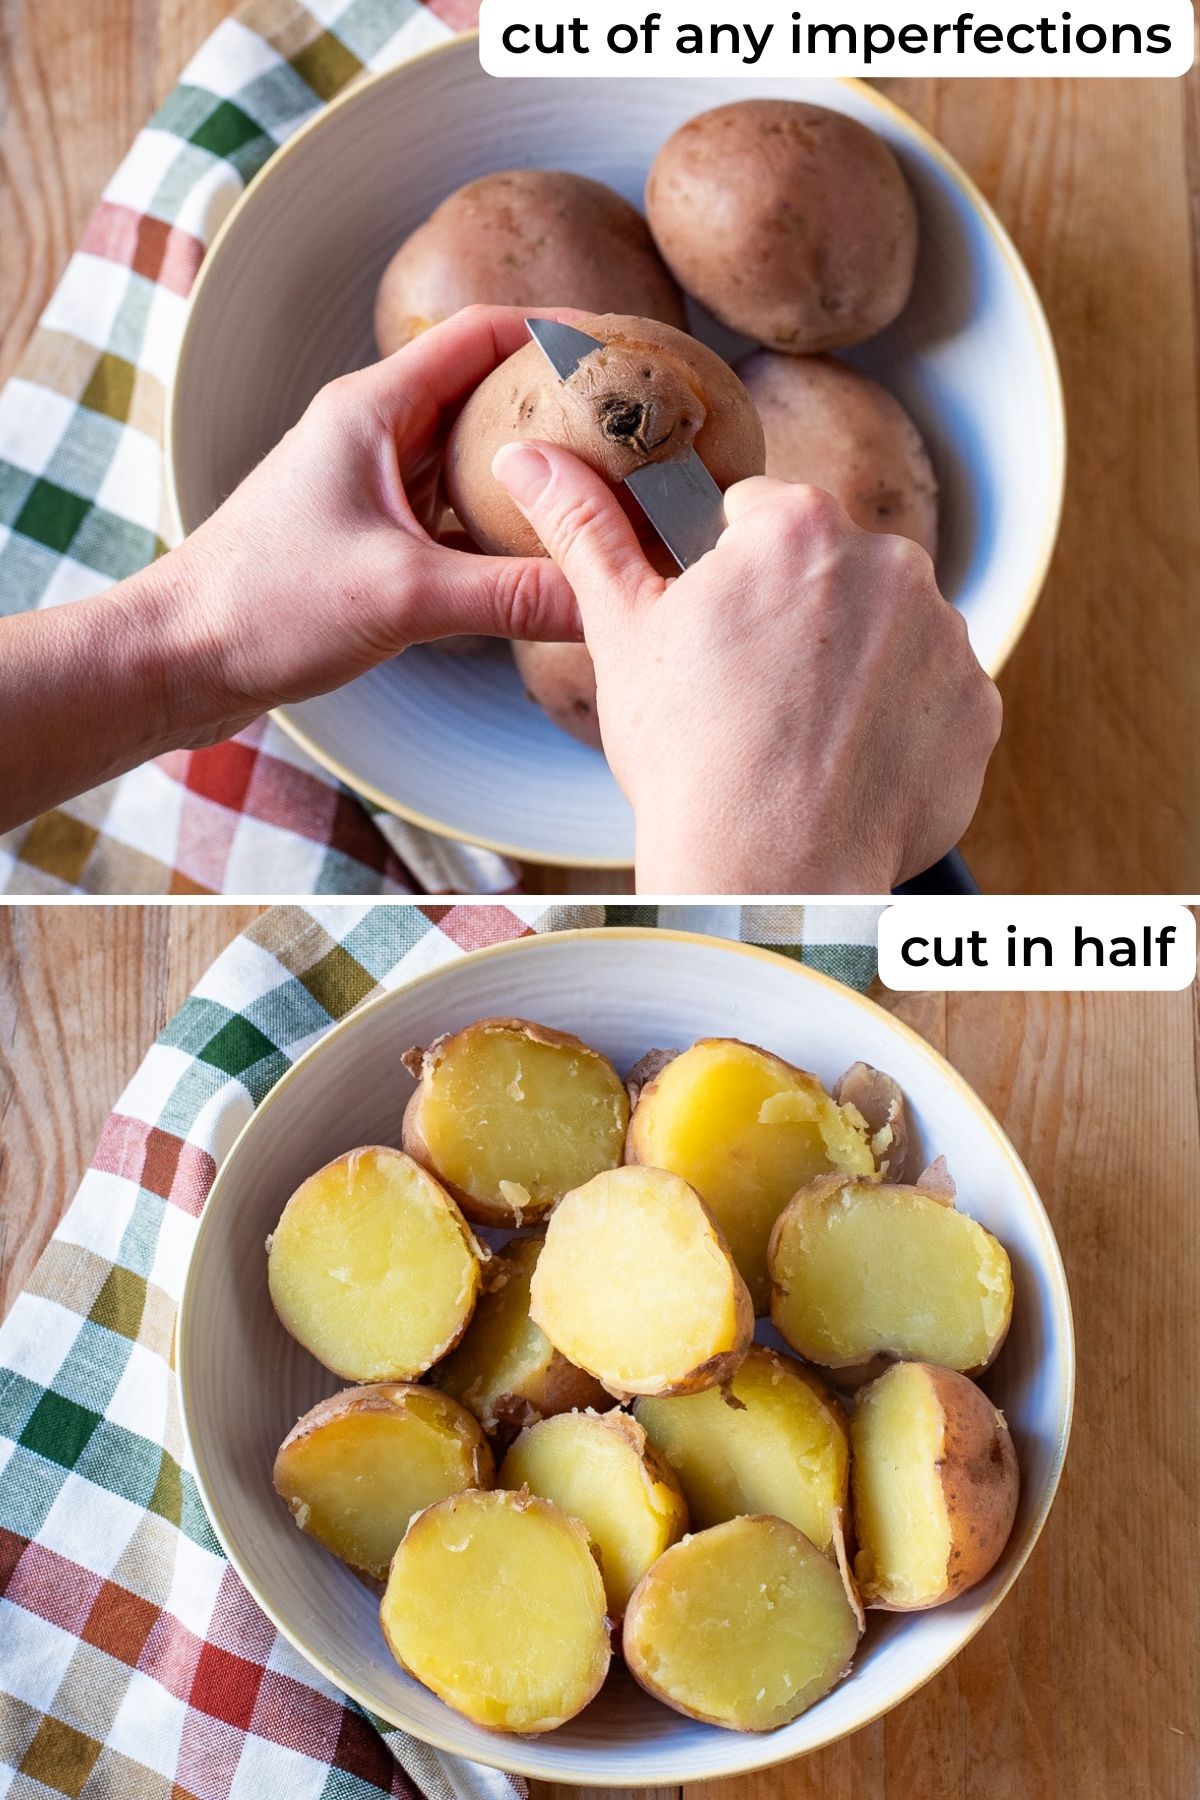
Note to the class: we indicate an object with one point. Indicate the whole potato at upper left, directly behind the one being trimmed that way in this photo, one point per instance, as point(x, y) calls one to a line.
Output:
point(530, 238)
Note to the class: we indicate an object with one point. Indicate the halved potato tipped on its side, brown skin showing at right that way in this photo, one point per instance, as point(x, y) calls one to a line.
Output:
point(935, 1488)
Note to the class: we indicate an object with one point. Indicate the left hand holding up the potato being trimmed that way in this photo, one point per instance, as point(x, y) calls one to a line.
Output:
point(321, 564)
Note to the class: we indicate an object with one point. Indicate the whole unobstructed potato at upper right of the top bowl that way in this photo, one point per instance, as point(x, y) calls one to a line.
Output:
point(791, 222)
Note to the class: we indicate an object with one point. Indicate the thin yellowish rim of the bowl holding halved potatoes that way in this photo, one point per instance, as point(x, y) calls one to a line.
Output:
point(519, 1756)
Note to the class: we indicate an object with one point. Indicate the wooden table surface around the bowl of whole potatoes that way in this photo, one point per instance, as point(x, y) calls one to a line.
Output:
point(1097, 786)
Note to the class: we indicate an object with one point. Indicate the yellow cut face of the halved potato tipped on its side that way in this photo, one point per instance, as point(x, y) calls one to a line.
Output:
point(900, 1509)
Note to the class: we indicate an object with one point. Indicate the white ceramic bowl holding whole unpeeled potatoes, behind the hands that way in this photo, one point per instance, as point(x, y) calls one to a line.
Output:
point(285, 300)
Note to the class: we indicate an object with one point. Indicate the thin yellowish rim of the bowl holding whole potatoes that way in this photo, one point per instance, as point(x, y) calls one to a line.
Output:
point(949, 166)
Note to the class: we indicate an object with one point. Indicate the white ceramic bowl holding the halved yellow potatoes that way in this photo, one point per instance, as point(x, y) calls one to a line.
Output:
point(244, 1380)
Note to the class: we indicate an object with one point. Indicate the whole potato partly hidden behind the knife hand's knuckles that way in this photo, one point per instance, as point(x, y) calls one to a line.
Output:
point(836, 429)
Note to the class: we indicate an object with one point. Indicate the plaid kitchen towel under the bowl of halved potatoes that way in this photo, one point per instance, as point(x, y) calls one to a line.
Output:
point(134, 1666)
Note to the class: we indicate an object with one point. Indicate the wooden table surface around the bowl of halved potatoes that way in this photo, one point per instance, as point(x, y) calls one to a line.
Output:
point(1088, 1682)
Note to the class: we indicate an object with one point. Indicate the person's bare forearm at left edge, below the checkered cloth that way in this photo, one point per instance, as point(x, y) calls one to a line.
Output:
point(91, 690)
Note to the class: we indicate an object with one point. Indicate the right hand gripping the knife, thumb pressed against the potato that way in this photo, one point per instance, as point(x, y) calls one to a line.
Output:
point(801, 712)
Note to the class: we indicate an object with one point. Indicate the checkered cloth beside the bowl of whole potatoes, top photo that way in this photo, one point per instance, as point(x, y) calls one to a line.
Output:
point(82, 483)
